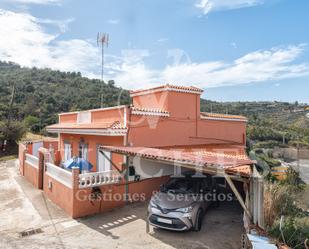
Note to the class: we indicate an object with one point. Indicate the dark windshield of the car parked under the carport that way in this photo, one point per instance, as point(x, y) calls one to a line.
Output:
point(179, 186)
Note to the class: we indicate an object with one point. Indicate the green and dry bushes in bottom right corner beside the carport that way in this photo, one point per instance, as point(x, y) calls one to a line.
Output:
point(285, 220)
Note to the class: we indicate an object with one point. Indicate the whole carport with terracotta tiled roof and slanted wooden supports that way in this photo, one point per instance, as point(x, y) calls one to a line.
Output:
point(231, 163)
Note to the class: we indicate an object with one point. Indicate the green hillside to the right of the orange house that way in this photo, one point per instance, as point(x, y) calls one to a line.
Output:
point(271, 123)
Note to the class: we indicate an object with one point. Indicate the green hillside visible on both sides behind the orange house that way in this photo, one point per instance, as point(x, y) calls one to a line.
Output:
point(42, 93)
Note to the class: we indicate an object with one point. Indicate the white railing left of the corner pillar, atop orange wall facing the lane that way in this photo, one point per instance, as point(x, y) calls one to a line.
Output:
point(59, 174)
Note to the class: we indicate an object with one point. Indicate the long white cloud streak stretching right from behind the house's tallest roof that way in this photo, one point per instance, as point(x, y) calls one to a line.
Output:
point(258, 66)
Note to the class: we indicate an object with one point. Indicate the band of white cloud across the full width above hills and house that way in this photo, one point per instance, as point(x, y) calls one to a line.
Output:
point(24, 41)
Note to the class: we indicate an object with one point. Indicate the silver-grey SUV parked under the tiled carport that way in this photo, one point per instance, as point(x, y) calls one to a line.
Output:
point(182, 202)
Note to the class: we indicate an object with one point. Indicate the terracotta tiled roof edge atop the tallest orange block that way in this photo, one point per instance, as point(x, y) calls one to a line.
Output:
point(167, 87)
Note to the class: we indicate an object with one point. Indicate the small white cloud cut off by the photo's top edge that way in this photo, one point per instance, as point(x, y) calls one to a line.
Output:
point(207, 6)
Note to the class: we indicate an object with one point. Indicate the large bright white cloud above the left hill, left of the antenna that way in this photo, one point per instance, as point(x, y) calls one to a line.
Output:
point(24, 41)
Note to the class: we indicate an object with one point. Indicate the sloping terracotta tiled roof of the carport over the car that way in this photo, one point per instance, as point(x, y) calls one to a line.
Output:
point(202, 157)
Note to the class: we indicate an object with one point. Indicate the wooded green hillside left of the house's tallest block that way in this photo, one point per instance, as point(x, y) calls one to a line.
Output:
point(42, 93)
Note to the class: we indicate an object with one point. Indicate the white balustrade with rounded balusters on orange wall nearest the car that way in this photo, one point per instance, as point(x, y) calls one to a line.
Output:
point(99, 178)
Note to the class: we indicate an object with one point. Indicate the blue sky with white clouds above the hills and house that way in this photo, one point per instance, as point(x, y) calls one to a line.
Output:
point(235, 50)
